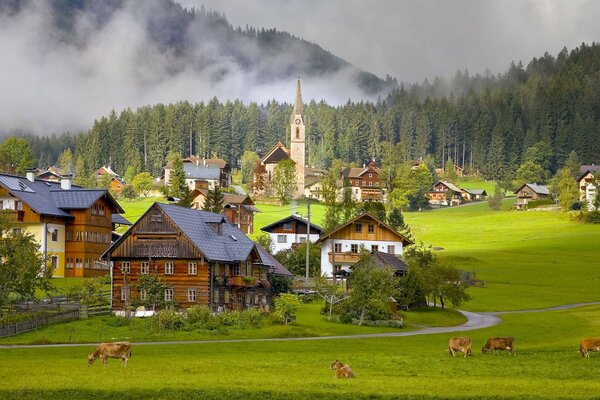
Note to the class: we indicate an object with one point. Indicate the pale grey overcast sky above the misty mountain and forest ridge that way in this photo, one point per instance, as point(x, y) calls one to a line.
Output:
point(418, 39)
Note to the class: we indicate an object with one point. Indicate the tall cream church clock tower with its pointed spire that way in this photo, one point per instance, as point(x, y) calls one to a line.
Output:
point(297, 141)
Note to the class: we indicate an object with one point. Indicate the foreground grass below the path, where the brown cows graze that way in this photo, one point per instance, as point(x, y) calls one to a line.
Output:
point(546, 366)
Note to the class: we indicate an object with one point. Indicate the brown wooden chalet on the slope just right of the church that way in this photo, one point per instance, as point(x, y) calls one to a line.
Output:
point(365, 182)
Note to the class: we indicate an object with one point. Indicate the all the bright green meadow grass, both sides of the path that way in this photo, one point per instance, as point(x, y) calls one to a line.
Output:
point(528, 260)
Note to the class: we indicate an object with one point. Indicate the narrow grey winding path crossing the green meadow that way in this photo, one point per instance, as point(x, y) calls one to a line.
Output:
point(474, 321)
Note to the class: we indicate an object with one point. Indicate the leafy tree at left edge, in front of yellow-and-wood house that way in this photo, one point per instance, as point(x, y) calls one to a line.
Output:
point(22, 266)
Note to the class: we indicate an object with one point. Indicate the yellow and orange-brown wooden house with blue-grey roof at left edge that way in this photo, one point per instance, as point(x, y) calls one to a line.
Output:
point(72, 225)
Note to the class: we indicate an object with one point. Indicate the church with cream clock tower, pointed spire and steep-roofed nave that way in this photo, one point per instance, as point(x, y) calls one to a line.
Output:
point(263, 174)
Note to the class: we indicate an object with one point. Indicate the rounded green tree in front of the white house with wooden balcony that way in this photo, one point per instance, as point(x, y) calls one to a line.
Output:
point(369, 284)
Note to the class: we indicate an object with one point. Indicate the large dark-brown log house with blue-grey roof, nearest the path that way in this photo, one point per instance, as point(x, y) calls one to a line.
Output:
point(201, 256)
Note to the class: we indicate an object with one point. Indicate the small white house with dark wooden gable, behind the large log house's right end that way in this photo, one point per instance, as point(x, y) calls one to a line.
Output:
point(291, 231)
